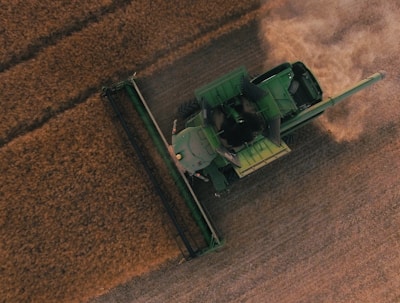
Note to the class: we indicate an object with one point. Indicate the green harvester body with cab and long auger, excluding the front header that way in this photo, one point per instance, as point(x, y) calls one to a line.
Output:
point(236, 125)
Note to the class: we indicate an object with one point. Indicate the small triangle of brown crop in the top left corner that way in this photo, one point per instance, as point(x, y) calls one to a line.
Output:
point(29, 26)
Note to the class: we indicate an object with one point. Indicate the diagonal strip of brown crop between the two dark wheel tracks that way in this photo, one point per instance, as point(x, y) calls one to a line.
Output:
point(65, 74)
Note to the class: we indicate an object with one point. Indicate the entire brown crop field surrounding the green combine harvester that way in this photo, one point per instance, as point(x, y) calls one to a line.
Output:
point(78, 217)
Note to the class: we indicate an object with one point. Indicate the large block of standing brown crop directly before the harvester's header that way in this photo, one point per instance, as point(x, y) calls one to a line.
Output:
point(78, 214)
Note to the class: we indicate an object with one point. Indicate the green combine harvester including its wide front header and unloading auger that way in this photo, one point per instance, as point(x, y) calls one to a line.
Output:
point(235, 126)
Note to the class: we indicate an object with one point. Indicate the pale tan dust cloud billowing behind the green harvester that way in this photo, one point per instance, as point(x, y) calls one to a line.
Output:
point(342, 42)
